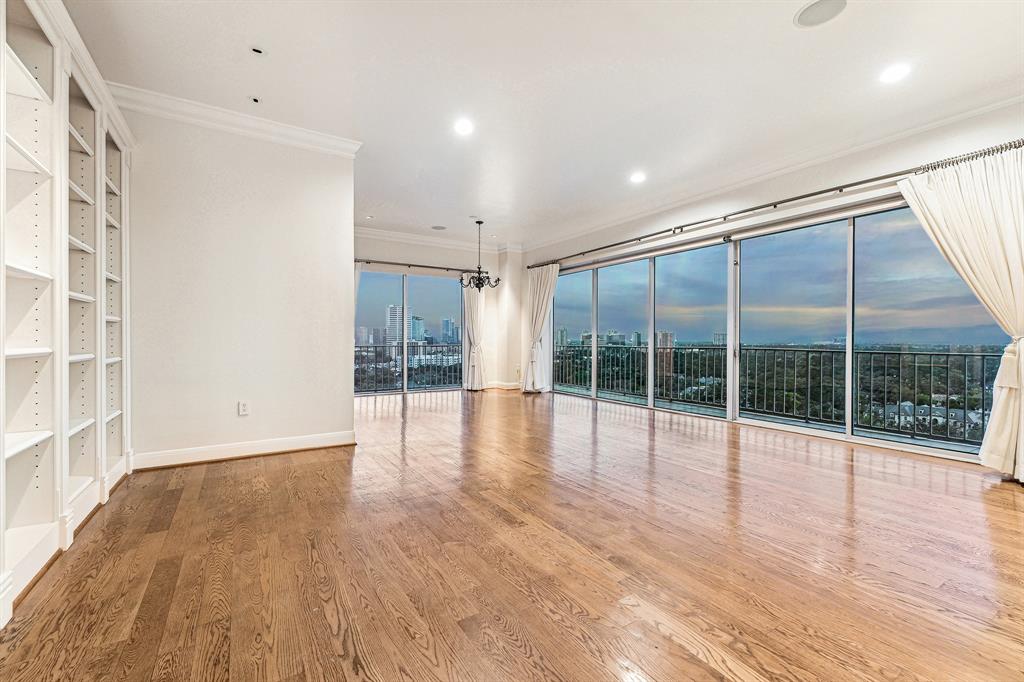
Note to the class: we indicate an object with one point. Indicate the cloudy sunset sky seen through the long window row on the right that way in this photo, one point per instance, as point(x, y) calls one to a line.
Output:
point(793, 290)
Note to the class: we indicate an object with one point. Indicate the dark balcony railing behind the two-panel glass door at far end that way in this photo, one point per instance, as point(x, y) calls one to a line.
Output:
point(378, 368)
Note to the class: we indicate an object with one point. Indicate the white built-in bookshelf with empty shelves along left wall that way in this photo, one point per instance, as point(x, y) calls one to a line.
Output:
point(64, 247)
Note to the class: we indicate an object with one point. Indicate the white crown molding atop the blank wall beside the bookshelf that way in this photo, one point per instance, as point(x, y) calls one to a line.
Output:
point(188, 111)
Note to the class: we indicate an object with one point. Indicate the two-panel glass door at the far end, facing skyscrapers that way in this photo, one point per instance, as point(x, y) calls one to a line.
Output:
point(408, 333)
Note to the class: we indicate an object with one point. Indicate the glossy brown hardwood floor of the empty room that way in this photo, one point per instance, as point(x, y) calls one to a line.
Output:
point(496, 537)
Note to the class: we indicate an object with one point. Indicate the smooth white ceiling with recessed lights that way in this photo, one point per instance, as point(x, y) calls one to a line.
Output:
point(568, 98)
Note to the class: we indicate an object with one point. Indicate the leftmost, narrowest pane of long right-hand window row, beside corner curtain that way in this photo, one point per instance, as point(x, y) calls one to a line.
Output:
point(573, 333)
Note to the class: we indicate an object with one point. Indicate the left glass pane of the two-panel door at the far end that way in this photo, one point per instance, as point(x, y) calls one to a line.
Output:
point(378, 333)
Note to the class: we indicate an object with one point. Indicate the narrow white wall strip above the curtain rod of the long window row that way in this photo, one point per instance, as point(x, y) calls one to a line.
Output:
point(952, 139)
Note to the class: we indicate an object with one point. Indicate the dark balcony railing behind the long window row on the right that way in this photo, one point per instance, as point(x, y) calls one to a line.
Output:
point(945, 397)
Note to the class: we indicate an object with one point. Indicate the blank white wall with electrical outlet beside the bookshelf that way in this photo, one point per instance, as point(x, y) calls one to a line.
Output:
point(242, 290)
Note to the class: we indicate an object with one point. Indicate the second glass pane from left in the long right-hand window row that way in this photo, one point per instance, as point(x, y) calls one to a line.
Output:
point(622, 332)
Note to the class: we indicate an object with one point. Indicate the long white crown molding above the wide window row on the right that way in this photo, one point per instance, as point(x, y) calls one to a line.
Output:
point(791, 166)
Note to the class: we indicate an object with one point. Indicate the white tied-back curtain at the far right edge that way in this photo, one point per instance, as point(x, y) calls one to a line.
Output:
point(974, 212)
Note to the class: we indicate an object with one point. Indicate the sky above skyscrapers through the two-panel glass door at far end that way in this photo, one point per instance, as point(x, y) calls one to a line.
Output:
point(432, 299)
